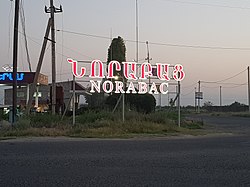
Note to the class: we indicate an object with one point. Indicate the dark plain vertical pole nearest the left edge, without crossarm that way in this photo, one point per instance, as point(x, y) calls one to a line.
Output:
point(15, 53)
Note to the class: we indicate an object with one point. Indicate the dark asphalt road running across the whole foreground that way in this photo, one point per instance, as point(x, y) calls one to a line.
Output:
point(176, 161)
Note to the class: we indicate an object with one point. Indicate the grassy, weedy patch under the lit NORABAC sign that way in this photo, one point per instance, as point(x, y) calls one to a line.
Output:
point(101, 124)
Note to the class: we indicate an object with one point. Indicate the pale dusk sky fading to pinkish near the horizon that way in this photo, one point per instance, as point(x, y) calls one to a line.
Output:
point(184, 24)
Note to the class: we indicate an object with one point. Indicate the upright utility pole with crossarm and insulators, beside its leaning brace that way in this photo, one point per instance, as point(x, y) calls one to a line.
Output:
point(52, 10)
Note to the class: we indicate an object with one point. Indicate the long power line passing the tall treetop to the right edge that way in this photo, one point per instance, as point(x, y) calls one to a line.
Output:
point(162, 44)
